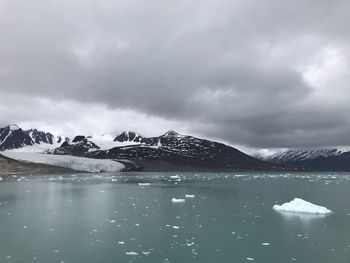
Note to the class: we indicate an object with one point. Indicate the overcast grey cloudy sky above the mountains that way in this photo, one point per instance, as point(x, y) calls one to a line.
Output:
point(258, 74)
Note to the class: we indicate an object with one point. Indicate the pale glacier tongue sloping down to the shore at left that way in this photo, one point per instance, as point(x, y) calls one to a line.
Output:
point(67, 161)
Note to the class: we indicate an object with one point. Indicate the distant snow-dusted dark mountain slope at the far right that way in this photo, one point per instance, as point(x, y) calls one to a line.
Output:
point(331, 159)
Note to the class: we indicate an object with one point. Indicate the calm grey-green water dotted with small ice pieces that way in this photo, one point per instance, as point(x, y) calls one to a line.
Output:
point(110, 218)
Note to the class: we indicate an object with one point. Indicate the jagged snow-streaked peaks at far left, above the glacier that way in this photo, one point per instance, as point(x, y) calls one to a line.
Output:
point(13, 137)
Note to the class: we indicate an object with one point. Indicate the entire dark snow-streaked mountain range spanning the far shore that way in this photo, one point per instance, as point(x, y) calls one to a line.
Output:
point(173, 150)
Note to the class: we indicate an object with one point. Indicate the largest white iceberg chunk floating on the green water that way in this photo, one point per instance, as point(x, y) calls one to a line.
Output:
point(301, 206)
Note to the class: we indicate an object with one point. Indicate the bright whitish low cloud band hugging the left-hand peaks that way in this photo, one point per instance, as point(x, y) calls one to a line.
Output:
point(71, 118)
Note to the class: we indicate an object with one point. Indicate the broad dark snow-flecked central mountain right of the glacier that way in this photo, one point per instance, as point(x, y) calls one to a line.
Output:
point(170, 148)
